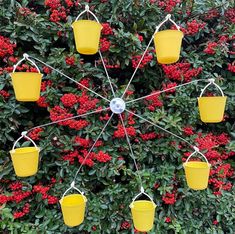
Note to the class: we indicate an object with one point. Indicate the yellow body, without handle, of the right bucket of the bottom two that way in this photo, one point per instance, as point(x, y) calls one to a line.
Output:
point(143, 212)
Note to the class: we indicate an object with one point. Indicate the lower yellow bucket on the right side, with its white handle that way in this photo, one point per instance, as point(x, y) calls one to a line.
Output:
point(197, 173)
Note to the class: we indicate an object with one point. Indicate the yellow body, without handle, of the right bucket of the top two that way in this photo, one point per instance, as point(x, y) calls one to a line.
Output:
point(167, 45)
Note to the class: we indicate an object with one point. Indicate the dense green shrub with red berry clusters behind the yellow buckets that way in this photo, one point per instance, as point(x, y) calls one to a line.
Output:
point(43, 30)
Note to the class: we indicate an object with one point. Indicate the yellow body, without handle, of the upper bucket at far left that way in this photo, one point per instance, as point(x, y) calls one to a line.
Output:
point(26, 85)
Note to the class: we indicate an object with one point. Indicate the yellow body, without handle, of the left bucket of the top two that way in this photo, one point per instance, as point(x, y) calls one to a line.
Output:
point(87, 36)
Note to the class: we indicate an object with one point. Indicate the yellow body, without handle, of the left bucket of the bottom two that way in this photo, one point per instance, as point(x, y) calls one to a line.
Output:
point(73, 208)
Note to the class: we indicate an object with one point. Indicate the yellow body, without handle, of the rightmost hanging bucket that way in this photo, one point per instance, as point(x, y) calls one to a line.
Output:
point(211, 109)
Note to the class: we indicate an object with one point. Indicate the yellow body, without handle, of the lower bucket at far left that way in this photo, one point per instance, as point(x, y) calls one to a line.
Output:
point(25, 161)
